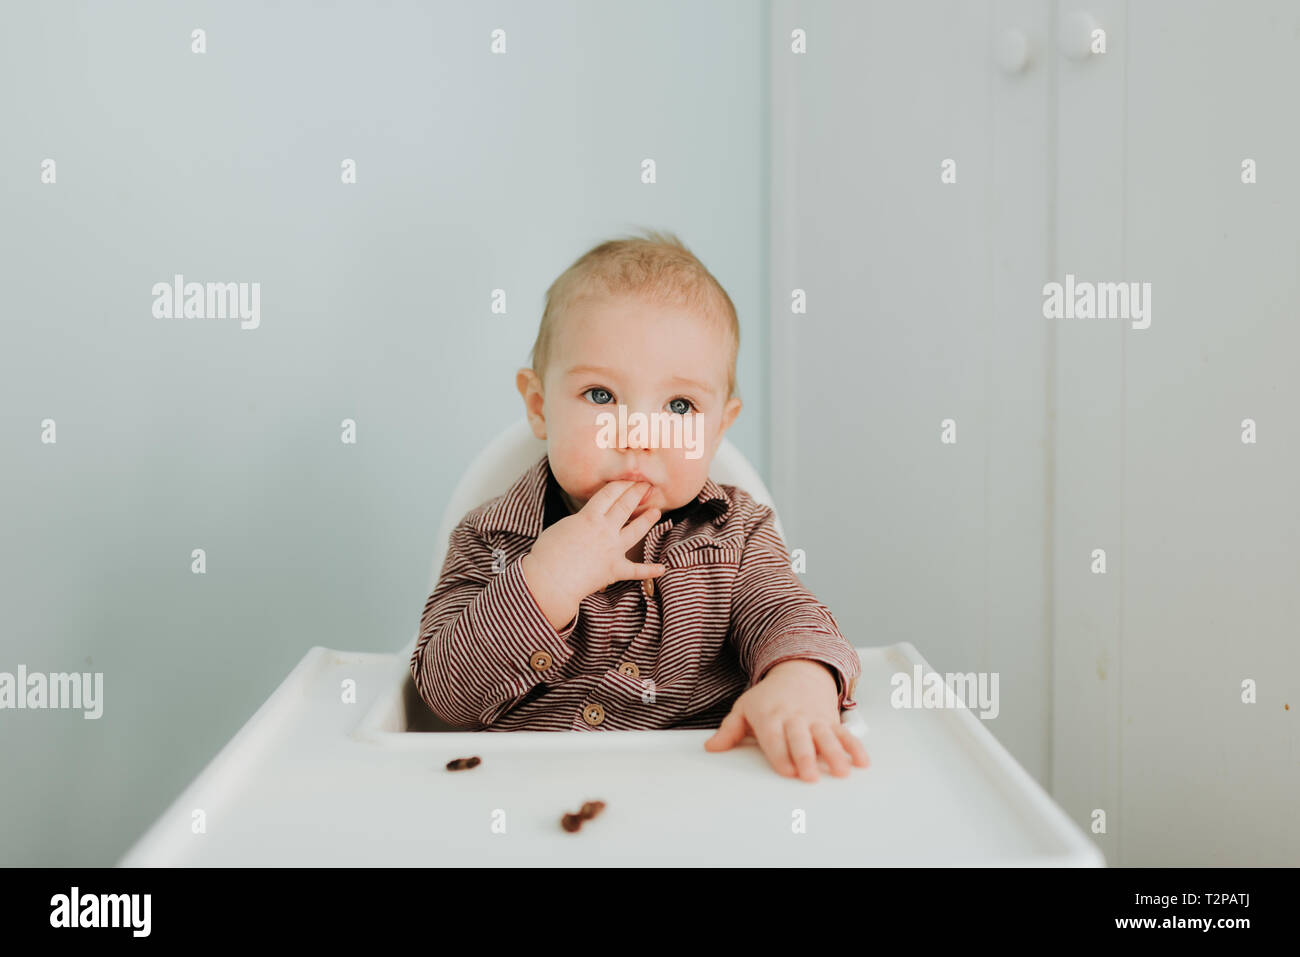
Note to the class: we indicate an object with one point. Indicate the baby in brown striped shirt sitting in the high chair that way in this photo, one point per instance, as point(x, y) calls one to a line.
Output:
point(616, 586)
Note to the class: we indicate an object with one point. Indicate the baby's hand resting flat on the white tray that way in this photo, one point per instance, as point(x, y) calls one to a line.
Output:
point(794, 714)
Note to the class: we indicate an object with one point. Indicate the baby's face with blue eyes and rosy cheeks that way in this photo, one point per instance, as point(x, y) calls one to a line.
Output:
point(612, 352)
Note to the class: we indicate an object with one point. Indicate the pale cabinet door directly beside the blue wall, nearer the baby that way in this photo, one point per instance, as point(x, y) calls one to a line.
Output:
point(924, 306)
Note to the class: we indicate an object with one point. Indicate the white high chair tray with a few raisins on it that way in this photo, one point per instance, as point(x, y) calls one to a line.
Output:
point(313, 781)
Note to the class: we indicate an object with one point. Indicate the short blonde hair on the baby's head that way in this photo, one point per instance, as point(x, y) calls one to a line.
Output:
point(657, 269)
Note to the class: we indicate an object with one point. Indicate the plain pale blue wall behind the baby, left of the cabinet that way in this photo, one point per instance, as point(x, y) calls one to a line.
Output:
point(475, 172)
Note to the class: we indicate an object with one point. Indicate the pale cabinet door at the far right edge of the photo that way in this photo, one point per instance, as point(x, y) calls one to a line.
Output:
point(1201, 530)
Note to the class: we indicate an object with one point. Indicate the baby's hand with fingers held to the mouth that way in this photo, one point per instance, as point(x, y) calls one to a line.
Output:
point(584, 553)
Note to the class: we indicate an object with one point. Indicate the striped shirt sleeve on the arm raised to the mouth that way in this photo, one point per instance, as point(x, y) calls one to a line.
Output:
point(484, 643)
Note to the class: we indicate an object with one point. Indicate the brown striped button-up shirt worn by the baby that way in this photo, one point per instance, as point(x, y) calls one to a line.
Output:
point(670, 655)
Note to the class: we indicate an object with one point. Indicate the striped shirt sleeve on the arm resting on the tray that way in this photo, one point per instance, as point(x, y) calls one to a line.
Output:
point(775, 618)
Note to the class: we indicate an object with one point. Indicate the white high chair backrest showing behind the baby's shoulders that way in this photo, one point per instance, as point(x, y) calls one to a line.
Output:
point(517, 449)
